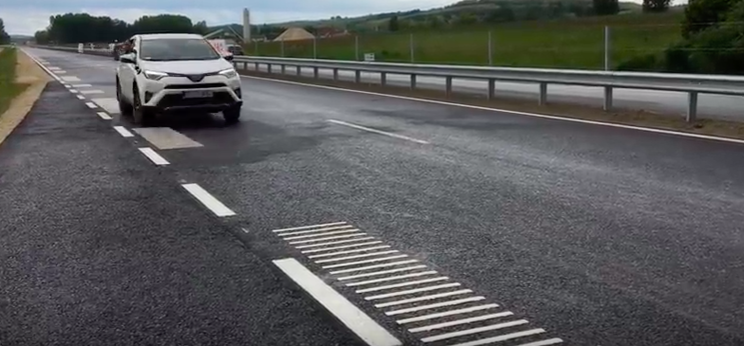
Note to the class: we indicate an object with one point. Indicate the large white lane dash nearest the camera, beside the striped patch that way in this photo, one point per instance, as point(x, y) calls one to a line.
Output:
point(351, 316)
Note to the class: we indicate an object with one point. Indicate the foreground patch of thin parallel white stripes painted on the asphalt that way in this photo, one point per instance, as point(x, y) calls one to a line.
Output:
point(431, 306)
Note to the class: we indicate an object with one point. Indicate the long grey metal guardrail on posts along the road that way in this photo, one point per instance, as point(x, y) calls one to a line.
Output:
point(692, 84)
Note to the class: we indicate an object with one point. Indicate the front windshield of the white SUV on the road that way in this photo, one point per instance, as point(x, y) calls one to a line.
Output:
point(177, 49)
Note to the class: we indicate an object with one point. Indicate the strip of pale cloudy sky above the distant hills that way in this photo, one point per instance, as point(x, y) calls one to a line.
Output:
point(24, 17)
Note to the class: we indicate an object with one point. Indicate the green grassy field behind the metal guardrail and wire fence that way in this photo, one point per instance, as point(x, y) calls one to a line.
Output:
point(565, 43)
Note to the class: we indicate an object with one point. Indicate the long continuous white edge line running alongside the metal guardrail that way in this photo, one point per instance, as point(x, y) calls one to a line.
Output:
point(488, 109)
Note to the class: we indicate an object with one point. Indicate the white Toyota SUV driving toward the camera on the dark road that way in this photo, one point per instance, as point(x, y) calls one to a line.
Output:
point(166, 73)
